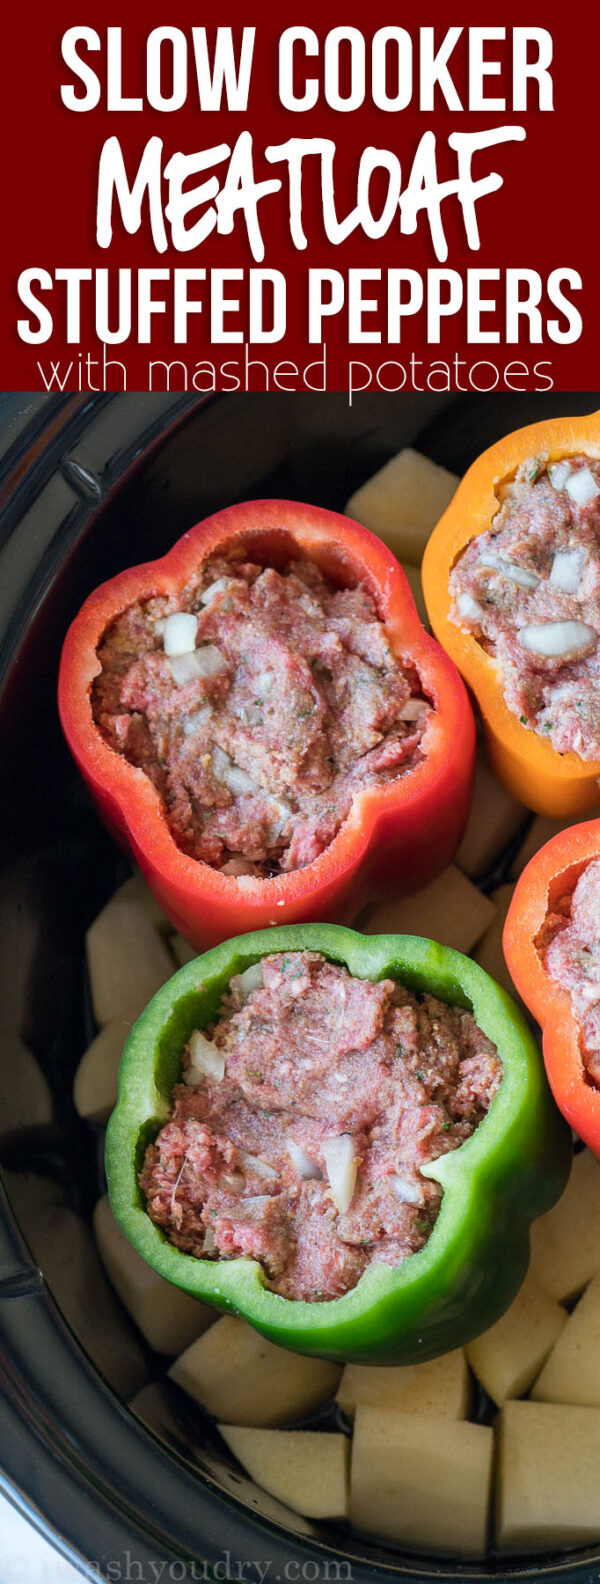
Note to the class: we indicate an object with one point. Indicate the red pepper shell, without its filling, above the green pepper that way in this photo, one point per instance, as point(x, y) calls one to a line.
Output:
point(398, 834)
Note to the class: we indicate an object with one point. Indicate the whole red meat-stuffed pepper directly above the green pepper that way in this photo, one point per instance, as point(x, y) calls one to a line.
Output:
point(264, 720)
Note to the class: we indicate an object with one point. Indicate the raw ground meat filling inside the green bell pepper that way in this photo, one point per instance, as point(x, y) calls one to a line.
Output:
point(305, 1119)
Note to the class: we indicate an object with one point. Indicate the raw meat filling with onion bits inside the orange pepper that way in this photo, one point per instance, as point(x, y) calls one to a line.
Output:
point(530, 592)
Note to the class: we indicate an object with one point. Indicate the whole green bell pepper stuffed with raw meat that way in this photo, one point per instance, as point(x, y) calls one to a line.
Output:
point(341, 1138)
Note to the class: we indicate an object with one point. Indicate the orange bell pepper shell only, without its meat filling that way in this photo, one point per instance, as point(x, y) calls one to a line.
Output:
point(530, 767)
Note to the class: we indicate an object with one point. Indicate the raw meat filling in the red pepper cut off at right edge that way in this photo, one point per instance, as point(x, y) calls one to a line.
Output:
point(571, 953)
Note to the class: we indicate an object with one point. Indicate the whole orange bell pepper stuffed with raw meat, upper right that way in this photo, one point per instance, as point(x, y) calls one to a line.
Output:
point(512, 584)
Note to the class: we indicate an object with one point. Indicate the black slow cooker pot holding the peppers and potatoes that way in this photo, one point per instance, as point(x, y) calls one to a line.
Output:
point(89, 485)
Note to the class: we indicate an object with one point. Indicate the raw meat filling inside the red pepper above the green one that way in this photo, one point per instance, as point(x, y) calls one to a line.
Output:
point(259, 703)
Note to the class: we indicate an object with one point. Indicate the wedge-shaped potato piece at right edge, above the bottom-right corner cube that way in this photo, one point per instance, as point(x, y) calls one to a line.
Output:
point(572, 1373)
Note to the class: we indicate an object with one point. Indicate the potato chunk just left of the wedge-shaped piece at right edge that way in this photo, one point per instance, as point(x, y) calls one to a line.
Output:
point(509, 1357)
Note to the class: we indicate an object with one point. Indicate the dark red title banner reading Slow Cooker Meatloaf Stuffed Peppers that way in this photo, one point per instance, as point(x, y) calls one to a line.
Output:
point(343, 202)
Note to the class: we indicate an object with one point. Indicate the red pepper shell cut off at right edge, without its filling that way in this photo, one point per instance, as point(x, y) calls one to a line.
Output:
point(553, 874)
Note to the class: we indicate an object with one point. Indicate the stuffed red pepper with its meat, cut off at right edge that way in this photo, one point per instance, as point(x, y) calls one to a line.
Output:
point(552, 943)
